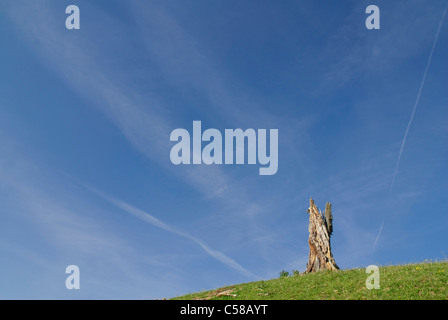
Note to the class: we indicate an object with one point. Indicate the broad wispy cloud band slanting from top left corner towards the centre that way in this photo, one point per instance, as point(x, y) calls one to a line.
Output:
point(140, 116)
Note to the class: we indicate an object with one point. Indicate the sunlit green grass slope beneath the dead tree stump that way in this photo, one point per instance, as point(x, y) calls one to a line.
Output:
point(421, 281)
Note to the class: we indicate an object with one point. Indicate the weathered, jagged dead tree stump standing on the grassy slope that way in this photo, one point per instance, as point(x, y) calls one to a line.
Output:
point(320, 228)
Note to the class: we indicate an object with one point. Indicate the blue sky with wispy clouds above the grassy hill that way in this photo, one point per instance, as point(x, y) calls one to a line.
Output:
point(86, 117)
